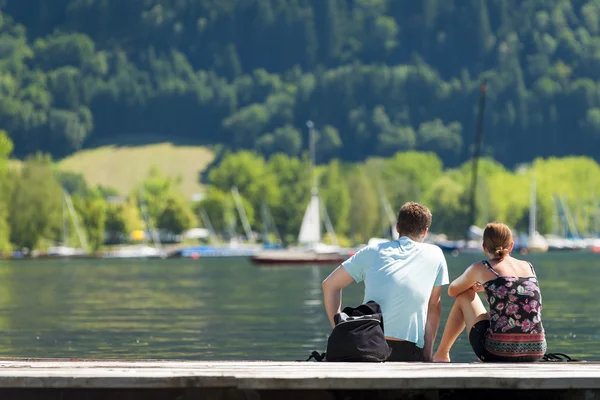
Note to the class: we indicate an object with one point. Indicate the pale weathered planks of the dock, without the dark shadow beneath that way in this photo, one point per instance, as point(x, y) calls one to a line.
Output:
point(295, 375)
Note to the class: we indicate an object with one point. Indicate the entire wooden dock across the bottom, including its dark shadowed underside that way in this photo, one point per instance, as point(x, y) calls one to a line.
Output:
point(182, 380)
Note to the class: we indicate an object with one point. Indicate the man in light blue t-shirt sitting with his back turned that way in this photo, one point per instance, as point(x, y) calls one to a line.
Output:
point(405, 277)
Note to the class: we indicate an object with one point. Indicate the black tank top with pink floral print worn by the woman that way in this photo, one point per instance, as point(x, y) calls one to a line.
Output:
point(515, 316)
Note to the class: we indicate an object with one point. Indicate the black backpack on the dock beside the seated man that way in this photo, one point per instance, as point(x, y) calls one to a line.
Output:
point(357, 336)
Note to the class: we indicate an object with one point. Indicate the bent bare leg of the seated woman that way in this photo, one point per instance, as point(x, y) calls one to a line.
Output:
point(467, 311)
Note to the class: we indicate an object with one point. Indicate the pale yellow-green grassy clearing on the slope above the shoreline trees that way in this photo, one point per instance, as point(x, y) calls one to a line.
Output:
point(123, 167)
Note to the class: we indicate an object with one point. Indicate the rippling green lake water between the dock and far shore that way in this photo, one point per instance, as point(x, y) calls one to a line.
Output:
point(224, 309)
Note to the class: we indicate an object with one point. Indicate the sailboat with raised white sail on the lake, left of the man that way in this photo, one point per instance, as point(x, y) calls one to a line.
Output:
point(310, 249)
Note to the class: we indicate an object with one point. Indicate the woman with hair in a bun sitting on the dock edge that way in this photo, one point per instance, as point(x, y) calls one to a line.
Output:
point(512, 331)
